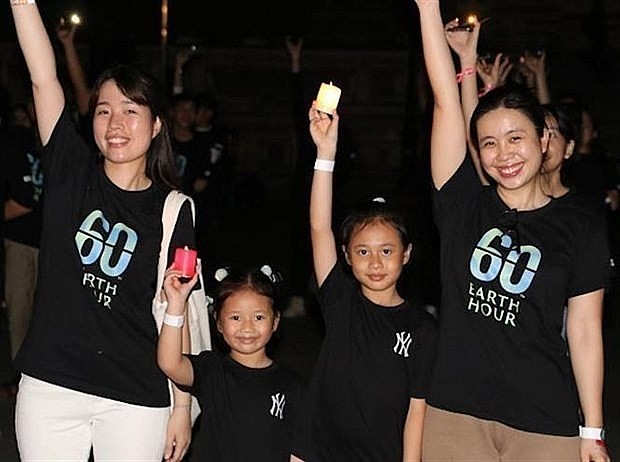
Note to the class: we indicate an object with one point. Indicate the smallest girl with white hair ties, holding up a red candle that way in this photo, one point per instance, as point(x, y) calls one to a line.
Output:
point(247, 400)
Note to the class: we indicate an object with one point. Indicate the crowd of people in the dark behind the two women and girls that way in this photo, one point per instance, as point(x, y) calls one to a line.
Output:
point(204, 156)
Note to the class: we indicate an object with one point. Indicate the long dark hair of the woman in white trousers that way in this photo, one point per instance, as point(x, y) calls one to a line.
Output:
point(143, 89)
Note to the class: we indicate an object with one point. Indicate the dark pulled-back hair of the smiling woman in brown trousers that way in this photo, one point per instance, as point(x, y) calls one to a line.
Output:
point(509, 96)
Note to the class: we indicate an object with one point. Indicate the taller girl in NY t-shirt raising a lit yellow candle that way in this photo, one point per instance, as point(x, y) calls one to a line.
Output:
point(366, 398)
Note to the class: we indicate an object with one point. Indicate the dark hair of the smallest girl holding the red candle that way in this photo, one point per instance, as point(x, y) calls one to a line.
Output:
point(239, 280)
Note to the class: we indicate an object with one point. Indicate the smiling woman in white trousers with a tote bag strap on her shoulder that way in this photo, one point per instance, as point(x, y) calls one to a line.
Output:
point(95, 340)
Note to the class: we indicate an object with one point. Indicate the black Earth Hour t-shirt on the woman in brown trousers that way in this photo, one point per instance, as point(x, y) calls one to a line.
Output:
point(505, 279)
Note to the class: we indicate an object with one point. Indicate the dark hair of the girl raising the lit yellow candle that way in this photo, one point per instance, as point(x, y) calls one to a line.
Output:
point(365, 213)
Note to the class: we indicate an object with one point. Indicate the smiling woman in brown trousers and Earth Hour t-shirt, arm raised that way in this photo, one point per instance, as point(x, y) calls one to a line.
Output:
point(522, 266)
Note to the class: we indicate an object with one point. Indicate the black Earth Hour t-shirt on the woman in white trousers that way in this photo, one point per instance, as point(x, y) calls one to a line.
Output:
point(92, 328)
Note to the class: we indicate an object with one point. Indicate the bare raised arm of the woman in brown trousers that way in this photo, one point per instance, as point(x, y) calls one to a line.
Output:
point(448, 139)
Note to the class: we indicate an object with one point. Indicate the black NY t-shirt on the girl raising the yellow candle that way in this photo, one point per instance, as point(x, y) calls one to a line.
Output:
point(373, 360)
